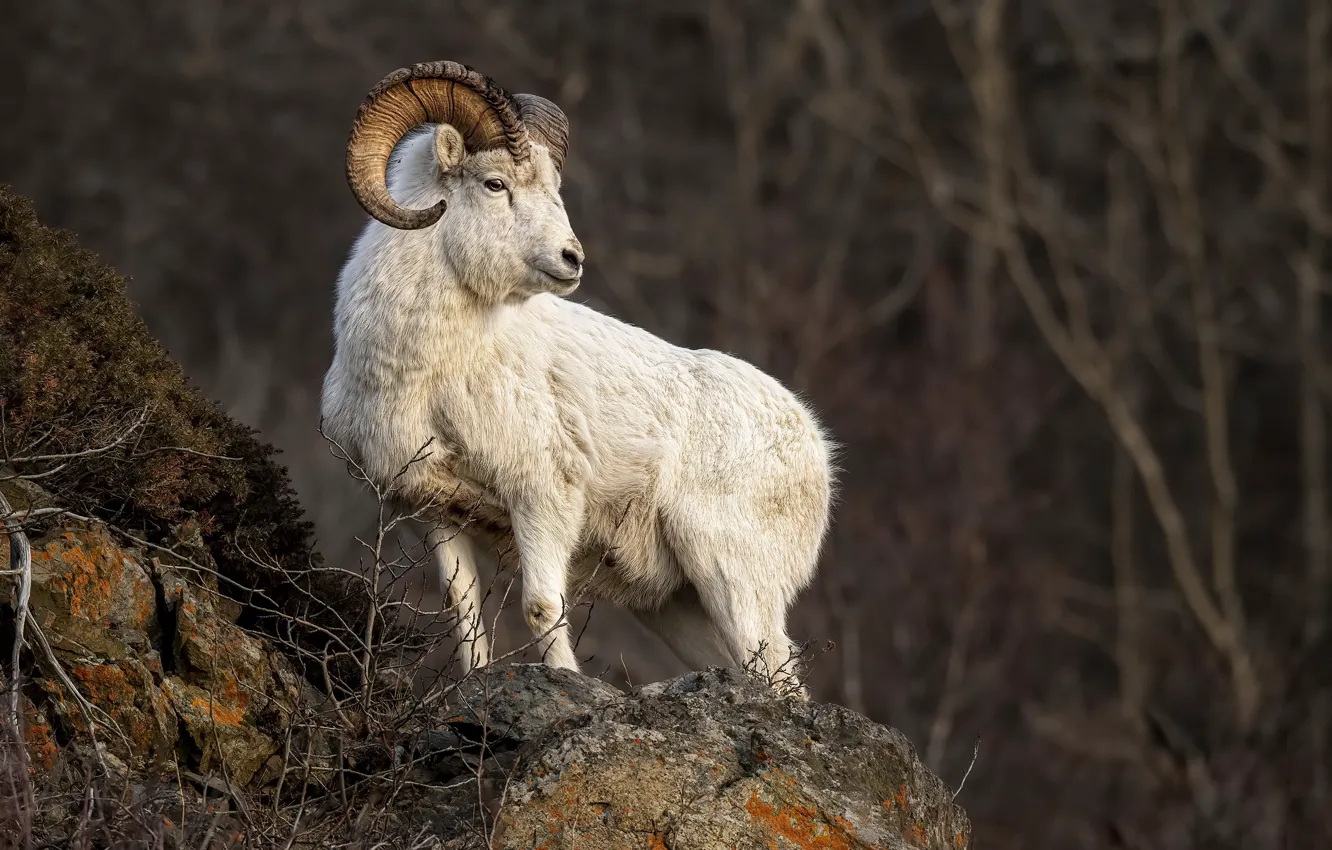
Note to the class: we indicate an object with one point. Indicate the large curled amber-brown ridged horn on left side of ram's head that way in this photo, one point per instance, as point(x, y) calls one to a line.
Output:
point(442, 93)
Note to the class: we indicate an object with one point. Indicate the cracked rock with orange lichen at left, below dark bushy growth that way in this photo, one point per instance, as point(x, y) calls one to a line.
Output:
point(158, 655)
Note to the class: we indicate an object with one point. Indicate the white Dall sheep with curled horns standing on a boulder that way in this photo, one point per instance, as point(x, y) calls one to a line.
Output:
point(552, 427)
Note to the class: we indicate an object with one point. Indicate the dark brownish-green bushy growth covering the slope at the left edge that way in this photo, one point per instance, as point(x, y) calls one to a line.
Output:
point(79, 367)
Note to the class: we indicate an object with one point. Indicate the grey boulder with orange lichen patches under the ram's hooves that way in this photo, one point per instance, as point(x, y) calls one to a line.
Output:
point(709, 760)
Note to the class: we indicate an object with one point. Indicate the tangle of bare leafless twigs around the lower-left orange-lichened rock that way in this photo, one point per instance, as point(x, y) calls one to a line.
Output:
point(352, 748)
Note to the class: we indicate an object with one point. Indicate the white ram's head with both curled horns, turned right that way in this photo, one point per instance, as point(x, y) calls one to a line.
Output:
point(494, 166)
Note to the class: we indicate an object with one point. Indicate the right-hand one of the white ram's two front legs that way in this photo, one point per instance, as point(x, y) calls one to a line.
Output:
point(547, 538)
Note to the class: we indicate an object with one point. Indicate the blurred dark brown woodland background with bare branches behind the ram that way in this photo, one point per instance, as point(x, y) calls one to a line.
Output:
point(1053, 272)
